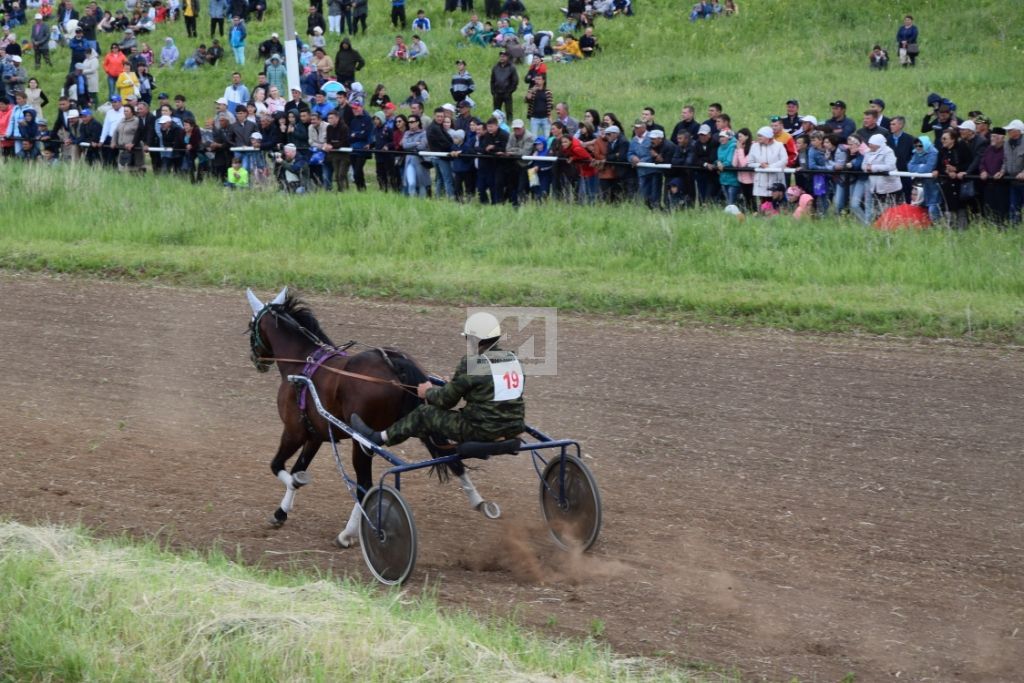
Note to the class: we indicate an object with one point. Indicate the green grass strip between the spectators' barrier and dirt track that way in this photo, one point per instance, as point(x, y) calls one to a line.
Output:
point(827, 276)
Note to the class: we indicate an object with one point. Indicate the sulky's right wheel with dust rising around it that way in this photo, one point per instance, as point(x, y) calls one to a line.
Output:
point(571, 503)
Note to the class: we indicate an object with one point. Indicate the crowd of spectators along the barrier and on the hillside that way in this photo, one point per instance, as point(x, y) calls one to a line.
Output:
point(331, 130)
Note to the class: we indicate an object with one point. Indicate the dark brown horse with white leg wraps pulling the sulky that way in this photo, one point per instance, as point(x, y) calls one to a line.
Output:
point(375, 386)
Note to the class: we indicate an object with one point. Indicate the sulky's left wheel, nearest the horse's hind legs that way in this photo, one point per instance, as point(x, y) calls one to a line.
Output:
point(388, 536)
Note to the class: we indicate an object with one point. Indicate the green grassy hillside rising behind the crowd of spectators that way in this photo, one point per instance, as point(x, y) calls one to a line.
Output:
point(774, 51)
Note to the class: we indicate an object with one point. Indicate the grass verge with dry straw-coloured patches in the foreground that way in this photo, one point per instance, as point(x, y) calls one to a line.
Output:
point(73, 609)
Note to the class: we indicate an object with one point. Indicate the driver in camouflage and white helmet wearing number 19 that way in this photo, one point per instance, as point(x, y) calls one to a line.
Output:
point(492, 383)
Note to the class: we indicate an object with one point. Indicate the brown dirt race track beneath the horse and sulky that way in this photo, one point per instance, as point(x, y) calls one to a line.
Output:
point(787, 505)
